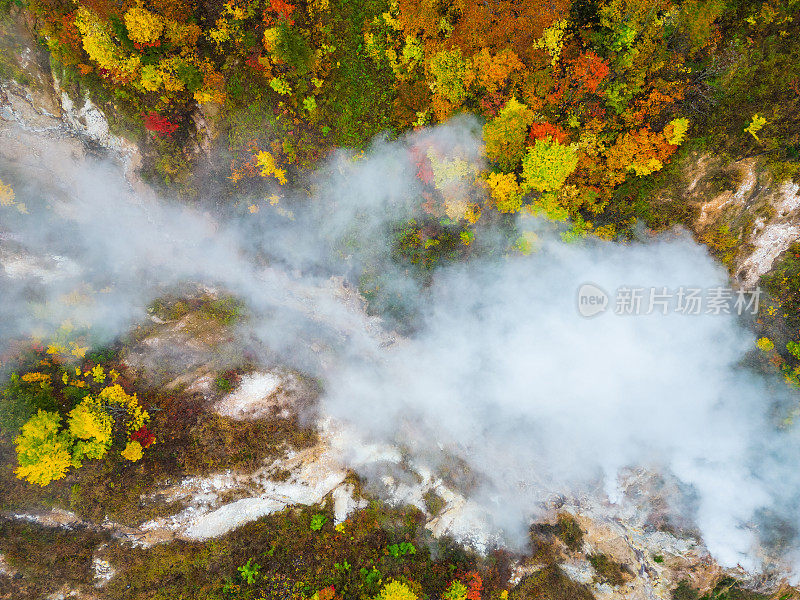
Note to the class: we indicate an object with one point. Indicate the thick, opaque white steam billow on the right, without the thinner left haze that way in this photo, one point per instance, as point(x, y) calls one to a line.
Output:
point(539, 401)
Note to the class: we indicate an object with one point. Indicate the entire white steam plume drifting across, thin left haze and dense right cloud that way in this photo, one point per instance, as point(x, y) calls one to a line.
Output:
point(501, 372)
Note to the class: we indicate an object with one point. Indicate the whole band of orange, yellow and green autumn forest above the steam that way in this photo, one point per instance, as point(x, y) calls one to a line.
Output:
point(613, 80)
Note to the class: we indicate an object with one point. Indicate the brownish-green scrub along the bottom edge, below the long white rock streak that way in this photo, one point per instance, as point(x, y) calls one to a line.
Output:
point(291, 553)
